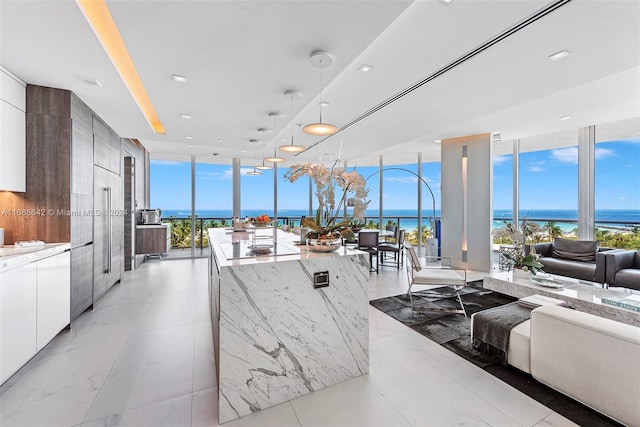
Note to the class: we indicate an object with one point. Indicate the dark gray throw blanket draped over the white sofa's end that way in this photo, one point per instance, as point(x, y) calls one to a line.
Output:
point(491, 328)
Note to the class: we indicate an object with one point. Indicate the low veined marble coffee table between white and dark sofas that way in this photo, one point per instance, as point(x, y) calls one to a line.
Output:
point(579, 296)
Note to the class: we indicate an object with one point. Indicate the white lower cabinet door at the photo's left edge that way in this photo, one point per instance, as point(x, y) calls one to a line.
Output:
point(17, 318)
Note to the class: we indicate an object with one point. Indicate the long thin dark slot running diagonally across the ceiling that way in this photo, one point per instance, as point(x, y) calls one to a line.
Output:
point(552, 7)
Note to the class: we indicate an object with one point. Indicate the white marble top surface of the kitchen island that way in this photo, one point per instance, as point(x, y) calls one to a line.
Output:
point(234, 247)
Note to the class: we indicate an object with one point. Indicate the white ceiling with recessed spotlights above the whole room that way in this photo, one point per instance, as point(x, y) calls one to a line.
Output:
point(241, 56)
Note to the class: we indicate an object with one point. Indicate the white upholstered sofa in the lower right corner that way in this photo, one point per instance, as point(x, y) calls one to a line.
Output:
point(591, 359)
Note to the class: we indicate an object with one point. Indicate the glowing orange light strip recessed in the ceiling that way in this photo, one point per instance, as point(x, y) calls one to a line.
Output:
point(97, 14)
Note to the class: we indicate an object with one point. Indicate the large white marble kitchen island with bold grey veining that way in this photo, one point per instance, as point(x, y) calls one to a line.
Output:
point(276, 337)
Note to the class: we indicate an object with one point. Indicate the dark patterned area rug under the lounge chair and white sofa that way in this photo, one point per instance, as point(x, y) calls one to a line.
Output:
point(453, 331)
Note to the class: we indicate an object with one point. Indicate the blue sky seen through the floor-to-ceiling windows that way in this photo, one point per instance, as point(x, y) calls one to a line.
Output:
point(548, 180)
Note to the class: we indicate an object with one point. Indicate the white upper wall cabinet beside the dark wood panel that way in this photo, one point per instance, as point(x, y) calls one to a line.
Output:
point(12, 133)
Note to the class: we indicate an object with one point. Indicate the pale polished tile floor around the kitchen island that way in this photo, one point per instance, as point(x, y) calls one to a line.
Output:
point(144, 357)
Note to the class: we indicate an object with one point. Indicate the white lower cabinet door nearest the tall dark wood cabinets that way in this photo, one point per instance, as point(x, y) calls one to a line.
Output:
point(53, 297)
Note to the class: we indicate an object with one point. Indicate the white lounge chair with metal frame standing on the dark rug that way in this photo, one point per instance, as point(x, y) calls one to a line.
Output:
point(442, 275)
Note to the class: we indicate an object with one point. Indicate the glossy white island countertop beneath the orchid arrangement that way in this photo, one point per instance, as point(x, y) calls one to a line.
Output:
point(219, 237)
